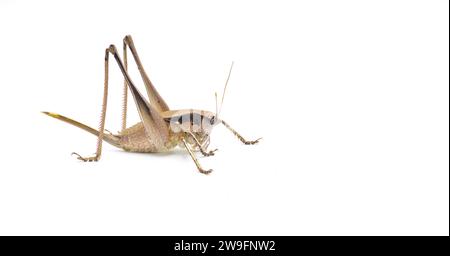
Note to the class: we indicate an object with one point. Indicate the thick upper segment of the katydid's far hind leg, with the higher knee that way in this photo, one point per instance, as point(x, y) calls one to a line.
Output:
point(155, 99)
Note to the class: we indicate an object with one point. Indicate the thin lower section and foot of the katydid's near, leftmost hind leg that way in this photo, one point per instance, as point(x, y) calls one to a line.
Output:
point(102, 117)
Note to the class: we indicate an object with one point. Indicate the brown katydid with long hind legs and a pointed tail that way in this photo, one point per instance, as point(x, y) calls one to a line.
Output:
point(160, 129)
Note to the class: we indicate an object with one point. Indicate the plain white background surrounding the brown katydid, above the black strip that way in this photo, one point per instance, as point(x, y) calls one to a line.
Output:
point(351, 99)
